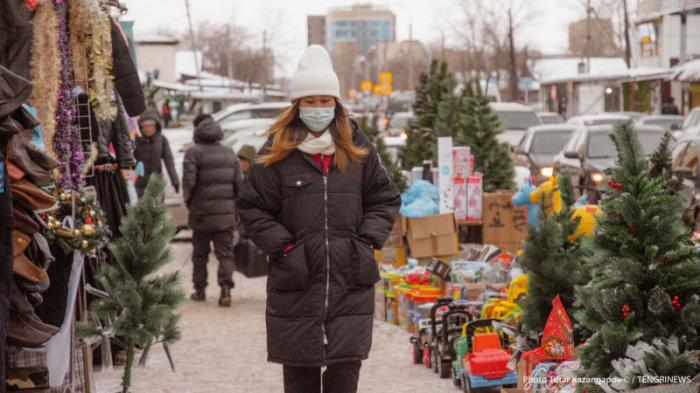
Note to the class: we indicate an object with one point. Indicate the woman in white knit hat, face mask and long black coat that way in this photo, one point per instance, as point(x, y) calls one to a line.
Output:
point(319, 201)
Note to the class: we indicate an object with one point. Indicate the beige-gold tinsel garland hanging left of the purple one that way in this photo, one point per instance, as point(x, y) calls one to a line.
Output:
point(46, 70)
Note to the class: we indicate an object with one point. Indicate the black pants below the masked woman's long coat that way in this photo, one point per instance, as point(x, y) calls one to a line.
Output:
point(338, 378)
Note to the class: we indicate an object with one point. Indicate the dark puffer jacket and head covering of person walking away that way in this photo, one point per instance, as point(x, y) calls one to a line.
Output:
point(211, 179)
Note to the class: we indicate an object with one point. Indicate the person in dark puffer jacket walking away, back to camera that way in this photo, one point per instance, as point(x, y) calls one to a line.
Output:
point(211, 180)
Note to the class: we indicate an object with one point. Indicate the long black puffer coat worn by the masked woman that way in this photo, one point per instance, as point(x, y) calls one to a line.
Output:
point(321, 291)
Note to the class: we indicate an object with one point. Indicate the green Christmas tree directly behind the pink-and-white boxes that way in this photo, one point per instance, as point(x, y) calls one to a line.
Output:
point(479, 128)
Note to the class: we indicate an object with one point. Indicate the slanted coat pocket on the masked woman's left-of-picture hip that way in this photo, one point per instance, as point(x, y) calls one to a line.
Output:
point(290, 272)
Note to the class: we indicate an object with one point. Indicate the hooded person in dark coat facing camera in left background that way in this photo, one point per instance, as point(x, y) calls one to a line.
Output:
point(152, 148)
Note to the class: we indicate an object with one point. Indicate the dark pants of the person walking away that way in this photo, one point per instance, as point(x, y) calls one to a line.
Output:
point(223, 248)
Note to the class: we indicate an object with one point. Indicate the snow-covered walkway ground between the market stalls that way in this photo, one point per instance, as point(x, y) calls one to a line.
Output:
point(223, 350)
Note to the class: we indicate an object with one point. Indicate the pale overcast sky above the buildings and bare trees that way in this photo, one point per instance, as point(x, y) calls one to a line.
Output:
point(547, 31)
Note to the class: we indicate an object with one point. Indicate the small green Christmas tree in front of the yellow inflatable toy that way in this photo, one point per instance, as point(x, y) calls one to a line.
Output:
point(552, 258)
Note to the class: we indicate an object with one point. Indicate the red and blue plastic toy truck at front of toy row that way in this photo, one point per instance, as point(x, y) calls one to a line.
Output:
point(486, 361)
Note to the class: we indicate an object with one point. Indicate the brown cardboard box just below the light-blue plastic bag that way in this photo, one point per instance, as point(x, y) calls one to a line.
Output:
point(432, 236)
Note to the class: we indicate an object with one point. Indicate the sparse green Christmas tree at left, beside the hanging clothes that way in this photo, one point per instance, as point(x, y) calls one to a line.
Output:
point(139, 302)
